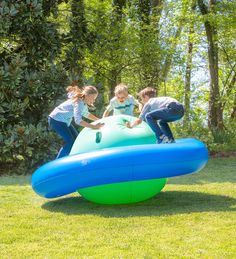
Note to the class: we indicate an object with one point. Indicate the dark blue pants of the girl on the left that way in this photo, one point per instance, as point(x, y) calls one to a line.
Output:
point(68, 133)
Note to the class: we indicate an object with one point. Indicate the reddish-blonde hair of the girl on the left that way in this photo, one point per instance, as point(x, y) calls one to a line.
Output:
point(81, 93)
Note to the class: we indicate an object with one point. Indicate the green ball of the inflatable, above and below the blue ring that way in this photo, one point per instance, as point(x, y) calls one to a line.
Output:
point(115, 134)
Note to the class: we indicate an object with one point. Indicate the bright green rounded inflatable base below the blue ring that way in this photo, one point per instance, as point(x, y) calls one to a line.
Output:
point(123, 193)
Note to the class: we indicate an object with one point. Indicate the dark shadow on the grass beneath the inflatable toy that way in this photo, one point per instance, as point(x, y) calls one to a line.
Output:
point(166, 203)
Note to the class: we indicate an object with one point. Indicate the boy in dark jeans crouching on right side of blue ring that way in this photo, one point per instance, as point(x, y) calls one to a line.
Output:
point(159, 110)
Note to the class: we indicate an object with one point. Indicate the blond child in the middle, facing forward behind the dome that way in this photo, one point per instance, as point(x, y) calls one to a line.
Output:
point(122, 103)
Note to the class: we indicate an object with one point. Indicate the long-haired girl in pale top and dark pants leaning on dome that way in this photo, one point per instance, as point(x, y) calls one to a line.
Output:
point(76, 106)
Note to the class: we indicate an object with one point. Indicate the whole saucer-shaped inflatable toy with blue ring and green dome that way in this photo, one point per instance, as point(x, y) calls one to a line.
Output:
point(118, 165)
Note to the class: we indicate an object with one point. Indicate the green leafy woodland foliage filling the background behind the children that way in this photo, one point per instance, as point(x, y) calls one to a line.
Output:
point(47, 44)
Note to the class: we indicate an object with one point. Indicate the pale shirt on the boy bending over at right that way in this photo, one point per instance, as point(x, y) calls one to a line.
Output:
point(156, 103)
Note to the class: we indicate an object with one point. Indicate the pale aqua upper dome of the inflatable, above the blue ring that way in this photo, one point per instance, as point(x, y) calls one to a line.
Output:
point(113, 134)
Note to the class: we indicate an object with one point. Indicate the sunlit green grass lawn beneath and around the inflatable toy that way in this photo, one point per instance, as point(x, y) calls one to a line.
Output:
point(193, 217)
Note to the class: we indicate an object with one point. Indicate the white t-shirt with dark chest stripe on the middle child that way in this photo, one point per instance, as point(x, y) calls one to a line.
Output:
point(127, 107)
